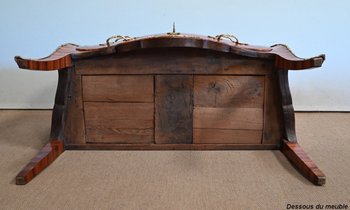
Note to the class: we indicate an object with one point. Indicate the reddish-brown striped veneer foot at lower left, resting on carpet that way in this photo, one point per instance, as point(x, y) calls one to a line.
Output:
point(44, 158)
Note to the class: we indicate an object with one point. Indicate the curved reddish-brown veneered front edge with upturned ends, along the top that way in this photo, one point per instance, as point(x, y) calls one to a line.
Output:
point(280, 54)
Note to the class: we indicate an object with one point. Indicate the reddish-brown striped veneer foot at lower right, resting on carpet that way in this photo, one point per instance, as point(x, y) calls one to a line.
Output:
point(303, 163)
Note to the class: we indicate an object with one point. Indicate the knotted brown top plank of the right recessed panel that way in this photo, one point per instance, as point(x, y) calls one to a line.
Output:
point(229, 91)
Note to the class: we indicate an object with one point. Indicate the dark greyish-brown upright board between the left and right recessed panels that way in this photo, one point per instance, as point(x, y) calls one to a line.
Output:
point(174, 104)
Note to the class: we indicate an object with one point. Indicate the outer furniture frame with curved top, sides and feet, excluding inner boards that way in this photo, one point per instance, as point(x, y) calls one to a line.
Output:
point(63, 60)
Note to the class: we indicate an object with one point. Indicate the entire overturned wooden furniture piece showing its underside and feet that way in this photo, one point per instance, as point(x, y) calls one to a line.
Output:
point(172, 92)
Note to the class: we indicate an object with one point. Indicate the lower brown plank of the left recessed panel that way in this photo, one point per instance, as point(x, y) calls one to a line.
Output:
point(119, 122)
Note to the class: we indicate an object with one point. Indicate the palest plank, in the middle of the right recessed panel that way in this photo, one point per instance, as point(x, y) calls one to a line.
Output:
point(228, 118)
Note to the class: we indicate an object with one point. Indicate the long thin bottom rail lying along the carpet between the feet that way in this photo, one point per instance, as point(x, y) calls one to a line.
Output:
point(98, 146)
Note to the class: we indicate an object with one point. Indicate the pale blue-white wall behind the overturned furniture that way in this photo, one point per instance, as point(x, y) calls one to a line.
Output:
point(35, 28)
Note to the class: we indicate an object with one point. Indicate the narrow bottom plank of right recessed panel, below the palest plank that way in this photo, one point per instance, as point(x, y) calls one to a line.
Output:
point(226, 136)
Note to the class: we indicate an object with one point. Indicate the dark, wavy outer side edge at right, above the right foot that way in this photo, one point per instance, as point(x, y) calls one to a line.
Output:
point(287, 107)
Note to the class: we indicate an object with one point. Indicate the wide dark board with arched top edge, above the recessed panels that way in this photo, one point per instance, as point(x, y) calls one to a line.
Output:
point(174, 61)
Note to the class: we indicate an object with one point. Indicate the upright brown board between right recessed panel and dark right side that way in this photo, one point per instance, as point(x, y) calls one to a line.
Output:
point(273, 117)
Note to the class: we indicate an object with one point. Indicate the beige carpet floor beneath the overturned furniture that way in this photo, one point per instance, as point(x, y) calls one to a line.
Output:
point(173, 179)
